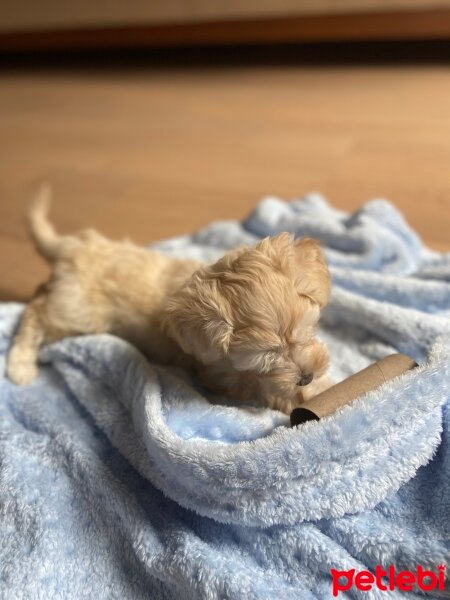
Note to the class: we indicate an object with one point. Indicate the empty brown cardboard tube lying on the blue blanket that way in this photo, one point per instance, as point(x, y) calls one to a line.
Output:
point(344, 392)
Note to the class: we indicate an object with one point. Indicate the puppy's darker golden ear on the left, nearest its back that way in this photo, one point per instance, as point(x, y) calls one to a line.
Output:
point(197, 318)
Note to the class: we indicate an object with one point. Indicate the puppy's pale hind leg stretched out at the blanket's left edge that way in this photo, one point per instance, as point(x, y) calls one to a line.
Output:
point(22, 359)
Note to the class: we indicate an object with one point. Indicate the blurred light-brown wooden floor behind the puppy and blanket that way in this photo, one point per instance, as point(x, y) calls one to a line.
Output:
point(153, 153)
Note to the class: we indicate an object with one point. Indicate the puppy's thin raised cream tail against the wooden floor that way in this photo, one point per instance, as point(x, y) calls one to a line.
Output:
point(42, 232)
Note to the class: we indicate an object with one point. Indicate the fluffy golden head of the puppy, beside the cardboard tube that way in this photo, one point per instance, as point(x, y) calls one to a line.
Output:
point(258, 309)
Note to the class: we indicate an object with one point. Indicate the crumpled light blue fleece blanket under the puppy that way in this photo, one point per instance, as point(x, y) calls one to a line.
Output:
point(119, 479)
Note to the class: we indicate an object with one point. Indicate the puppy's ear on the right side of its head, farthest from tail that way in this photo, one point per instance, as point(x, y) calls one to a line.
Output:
point(312, 275)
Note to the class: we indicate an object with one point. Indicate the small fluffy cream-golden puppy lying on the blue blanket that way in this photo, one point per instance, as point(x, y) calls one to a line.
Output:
point(245, 324)
